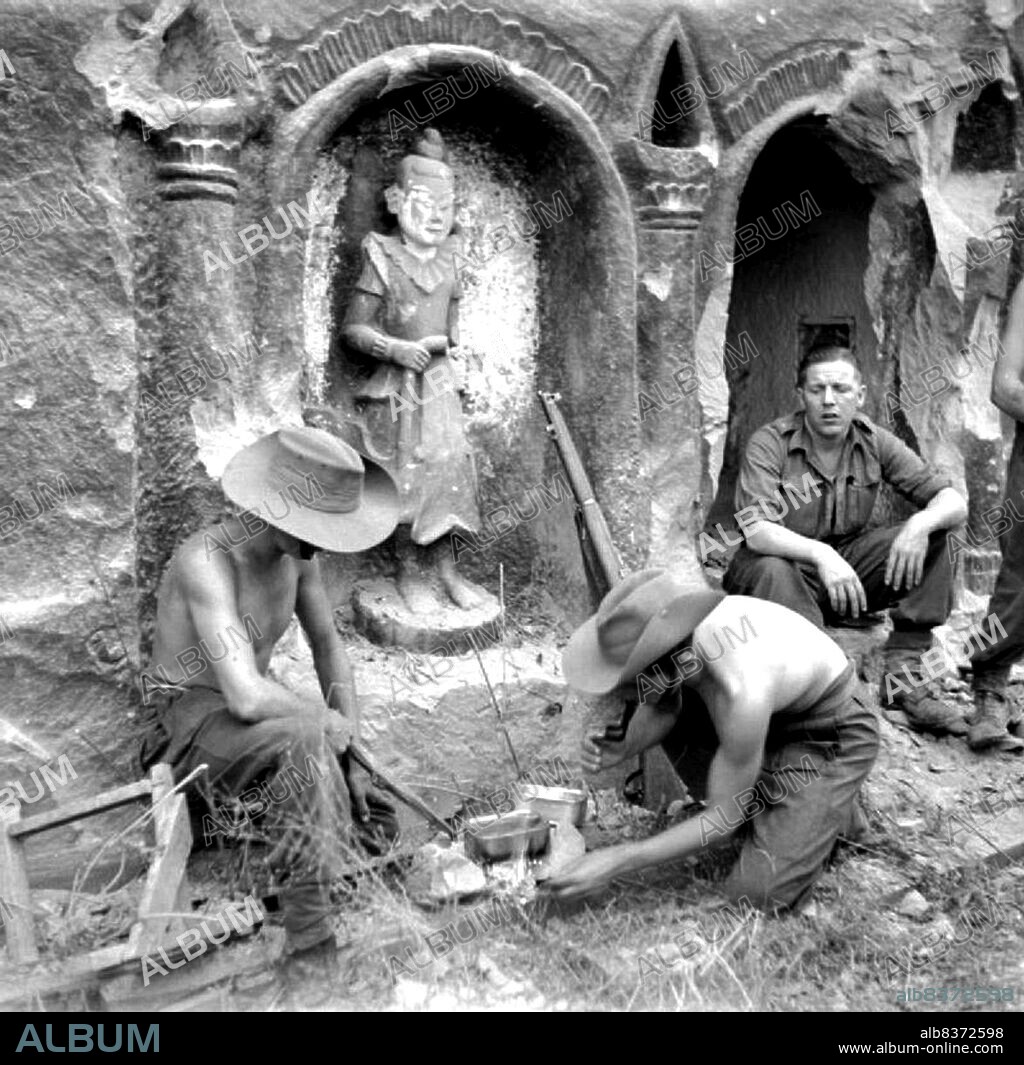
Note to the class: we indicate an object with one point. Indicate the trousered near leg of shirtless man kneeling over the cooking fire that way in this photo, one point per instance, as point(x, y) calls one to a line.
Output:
point(805, 797)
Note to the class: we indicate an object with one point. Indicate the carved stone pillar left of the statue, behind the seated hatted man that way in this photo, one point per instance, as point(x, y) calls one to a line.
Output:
point(199, 187)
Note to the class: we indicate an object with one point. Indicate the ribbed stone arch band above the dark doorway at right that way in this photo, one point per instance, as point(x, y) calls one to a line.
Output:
point(815, 69)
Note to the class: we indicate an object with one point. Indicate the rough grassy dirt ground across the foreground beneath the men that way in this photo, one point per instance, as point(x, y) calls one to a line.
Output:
point(931, 897)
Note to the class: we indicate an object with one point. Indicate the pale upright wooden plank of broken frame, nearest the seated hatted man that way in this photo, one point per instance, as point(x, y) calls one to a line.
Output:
point(168, 869)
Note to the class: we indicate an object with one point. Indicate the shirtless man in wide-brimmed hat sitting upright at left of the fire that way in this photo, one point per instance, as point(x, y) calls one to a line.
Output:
point(300, 491)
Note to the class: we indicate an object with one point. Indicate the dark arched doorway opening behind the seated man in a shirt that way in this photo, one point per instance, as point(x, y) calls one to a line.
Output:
point(799, 280)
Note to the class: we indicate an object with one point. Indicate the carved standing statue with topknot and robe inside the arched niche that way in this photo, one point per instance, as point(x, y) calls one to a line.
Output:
point(404, 315)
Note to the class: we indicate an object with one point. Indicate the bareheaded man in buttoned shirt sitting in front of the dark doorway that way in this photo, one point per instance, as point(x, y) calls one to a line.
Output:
point(820, 559)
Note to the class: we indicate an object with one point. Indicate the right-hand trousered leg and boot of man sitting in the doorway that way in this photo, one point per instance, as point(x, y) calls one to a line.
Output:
point(914, 615)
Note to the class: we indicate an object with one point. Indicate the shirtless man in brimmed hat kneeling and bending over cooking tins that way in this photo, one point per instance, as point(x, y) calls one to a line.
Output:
point(761, 715)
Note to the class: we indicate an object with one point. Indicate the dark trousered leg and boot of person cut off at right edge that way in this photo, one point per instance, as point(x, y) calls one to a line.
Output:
point(992, 665)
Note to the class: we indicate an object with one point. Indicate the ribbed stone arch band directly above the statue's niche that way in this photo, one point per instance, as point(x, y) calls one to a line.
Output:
point(357, 41)
